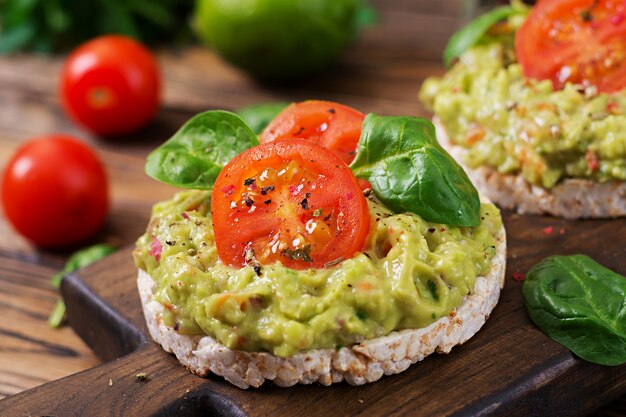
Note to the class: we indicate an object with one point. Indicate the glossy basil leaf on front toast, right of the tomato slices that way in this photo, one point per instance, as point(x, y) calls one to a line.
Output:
point(410, 171)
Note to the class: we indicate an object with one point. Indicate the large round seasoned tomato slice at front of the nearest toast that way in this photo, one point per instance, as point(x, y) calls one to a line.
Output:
point(291, 201)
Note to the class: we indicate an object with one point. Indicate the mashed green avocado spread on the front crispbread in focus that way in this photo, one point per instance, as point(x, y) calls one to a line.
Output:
point(410, 273)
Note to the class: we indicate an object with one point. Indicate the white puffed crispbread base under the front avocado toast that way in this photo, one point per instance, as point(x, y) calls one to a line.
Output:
point(358, 364)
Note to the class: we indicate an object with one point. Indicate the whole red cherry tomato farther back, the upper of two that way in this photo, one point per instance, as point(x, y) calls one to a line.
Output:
point(111, 85)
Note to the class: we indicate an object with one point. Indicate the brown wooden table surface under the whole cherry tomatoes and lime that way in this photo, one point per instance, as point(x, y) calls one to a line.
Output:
point(382, 72)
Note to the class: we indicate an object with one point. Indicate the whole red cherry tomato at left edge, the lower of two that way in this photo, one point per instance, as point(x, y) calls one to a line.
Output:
point(54, 191)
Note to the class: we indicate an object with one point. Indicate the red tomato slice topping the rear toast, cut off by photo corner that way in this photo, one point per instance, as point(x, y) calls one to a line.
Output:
point(577, 41)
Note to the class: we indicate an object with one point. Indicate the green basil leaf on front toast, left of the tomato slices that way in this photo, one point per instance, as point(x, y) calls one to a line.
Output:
point(195, 155)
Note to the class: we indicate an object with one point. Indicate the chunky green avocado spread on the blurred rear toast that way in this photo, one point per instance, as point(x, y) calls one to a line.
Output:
point(522, 126)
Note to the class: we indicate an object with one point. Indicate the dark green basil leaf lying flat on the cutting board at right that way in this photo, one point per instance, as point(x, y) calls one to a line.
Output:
point(579, 304)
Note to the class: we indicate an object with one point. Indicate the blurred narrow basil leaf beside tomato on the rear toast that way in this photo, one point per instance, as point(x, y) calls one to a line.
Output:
point(470, 34)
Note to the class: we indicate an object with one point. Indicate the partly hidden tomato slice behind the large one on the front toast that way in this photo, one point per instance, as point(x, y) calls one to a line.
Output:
point(332, 125)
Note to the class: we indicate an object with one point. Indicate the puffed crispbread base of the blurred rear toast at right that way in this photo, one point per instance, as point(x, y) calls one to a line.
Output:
point(572, 198)
